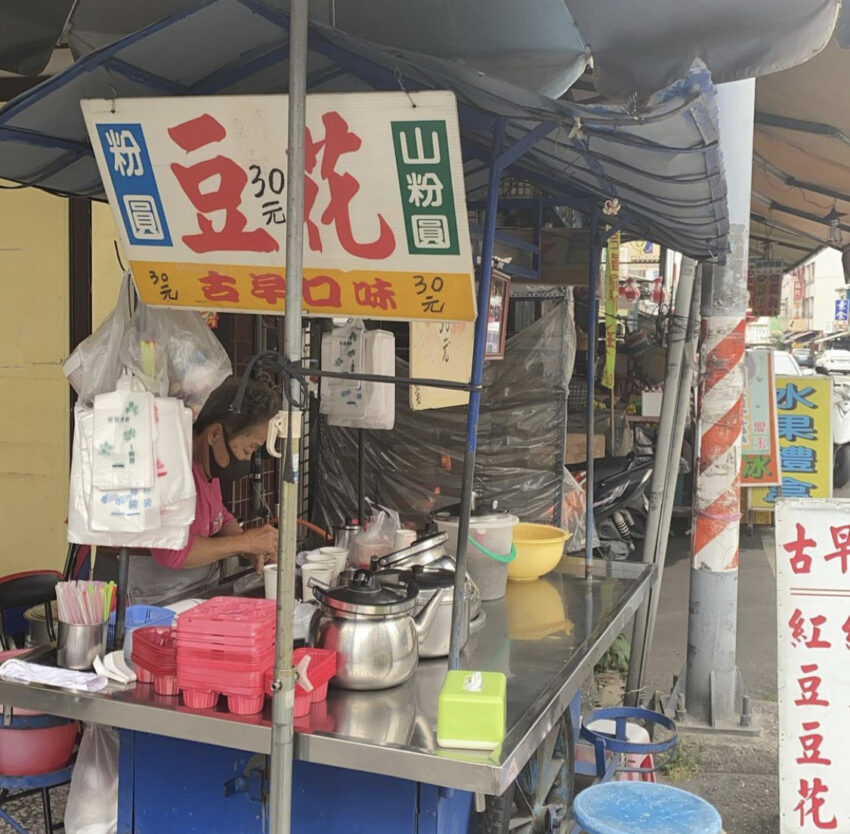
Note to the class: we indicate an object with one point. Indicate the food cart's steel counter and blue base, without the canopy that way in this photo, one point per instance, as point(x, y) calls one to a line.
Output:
point(369, 760)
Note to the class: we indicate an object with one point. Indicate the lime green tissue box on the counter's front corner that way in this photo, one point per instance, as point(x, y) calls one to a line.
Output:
point(469, 717)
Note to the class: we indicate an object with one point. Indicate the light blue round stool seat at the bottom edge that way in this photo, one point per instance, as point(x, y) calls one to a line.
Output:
point(643, 808)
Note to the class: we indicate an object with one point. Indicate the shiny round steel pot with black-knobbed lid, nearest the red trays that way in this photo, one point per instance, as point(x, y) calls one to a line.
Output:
point(372, 627)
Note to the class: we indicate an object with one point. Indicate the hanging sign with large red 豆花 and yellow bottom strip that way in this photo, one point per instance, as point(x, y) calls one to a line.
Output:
point(198, 190)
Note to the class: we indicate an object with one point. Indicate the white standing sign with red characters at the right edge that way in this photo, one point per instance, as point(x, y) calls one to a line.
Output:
point(813, 616)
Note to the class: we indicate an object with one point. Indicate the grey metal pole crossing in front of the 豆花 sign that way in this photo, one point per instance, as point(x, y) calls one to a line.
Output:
point(280, 793)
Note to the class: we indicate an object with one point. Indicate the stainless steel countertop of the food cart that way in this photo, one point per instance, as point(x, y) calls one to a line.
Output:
point(546, 636)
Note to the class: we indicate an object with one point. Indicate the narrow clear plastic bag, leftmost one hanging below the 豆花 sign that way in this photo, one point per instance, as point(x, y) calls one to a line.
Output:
point(95, 365)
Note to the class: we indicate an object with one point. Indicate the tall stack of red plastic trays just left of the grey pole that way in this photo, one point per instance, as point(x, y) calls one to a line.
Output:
point(224, 647)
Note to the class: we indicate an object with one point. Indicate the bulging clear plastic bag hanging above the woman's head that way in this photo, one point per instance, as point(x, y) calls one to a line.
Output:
point(175, 354)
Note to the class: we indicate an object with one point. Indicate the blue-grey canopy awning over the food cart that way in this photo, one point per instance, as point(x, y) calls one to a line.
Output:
point(660, 160)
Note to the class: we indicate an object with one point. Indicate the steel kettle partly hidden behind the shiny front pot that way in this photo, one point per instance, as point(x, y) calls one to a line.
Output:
point(436, 584)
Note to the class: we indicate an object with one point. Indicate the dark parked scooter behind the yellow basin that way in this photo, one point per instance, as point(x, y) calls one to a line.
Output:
point(620, 502)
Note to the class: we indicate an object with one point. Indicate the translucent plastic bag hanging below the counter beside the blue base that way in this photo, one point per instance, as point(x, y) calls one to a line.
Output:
point(93, 797)
